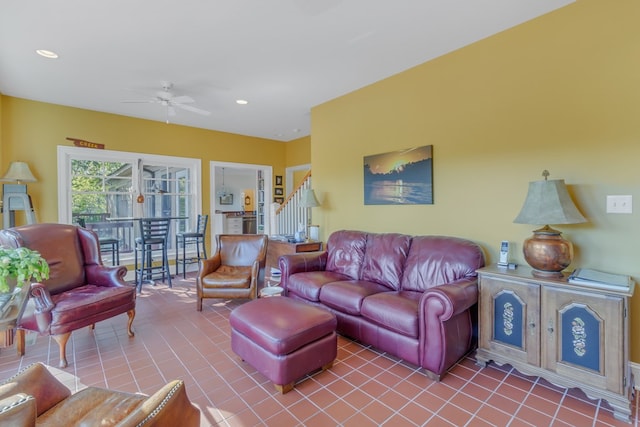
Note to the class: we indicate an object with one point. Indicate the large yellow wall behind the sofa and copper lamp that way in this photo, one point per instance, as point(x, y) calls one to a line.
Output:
point(561, 93)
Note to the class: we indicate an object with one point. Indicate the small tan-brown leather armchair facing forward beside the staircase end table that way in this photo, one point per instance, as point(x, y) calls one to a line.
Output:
point(235, 269)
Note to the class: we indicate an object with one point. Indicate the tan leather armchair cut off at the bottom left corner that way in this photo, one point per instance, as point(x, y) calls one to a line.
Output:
point(36, 397)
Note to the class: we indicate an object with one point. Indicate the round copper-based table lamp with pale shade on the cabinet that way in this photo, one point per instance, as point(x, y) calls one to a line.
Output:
point(548, 202)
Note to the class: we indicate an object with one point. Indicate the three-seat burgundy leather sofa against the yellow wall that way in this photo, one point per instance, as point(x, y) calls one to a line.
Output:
point(411, 296)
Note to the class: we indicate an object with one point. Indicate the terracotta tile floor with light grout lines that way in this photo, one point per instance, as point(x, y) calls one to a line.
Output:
point(364, 388)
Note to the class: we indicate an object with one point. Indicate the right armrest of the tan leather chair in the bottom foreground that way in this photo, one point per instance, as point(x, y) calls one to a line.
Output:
point(169, 406)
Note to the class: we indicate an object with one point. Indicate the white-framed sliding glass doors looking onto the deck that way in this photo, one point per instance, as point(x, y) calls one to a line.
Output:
point(107, 190)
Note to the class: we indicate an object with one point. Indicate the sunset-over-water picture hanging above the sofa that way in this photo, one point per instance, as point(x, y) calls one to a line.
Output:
point(402, 177)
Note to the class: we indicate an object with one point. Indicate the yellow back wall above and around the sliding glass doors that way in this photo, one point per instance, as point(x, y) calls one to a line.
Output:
point(31, 131)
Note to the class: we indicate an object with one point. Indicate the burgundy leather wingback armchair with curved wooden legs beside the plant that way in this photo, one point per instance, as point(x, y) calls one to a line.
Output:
point(80, 290)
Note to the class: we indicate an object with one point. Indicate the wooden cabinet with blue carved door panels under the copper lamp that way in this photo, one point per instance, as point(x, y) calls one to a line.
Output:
point(571, 335)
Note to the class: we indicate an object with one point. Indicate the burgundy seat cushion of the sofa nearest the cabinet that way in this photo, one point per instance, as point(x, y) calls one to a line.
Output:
point(396, 311)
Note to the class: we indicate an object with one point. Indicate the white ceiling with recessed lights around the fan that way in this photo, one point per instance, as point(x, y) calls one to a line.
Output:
point(283, 56)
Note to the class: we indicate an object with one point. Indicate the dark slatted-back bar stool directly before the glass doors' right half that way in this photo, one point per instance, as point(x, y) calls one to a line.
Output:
point(154, 237)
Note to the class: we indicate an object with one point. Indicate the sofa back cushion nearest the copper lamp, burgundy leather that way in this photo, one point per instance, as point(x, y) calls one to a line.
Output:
point(434, 260)
